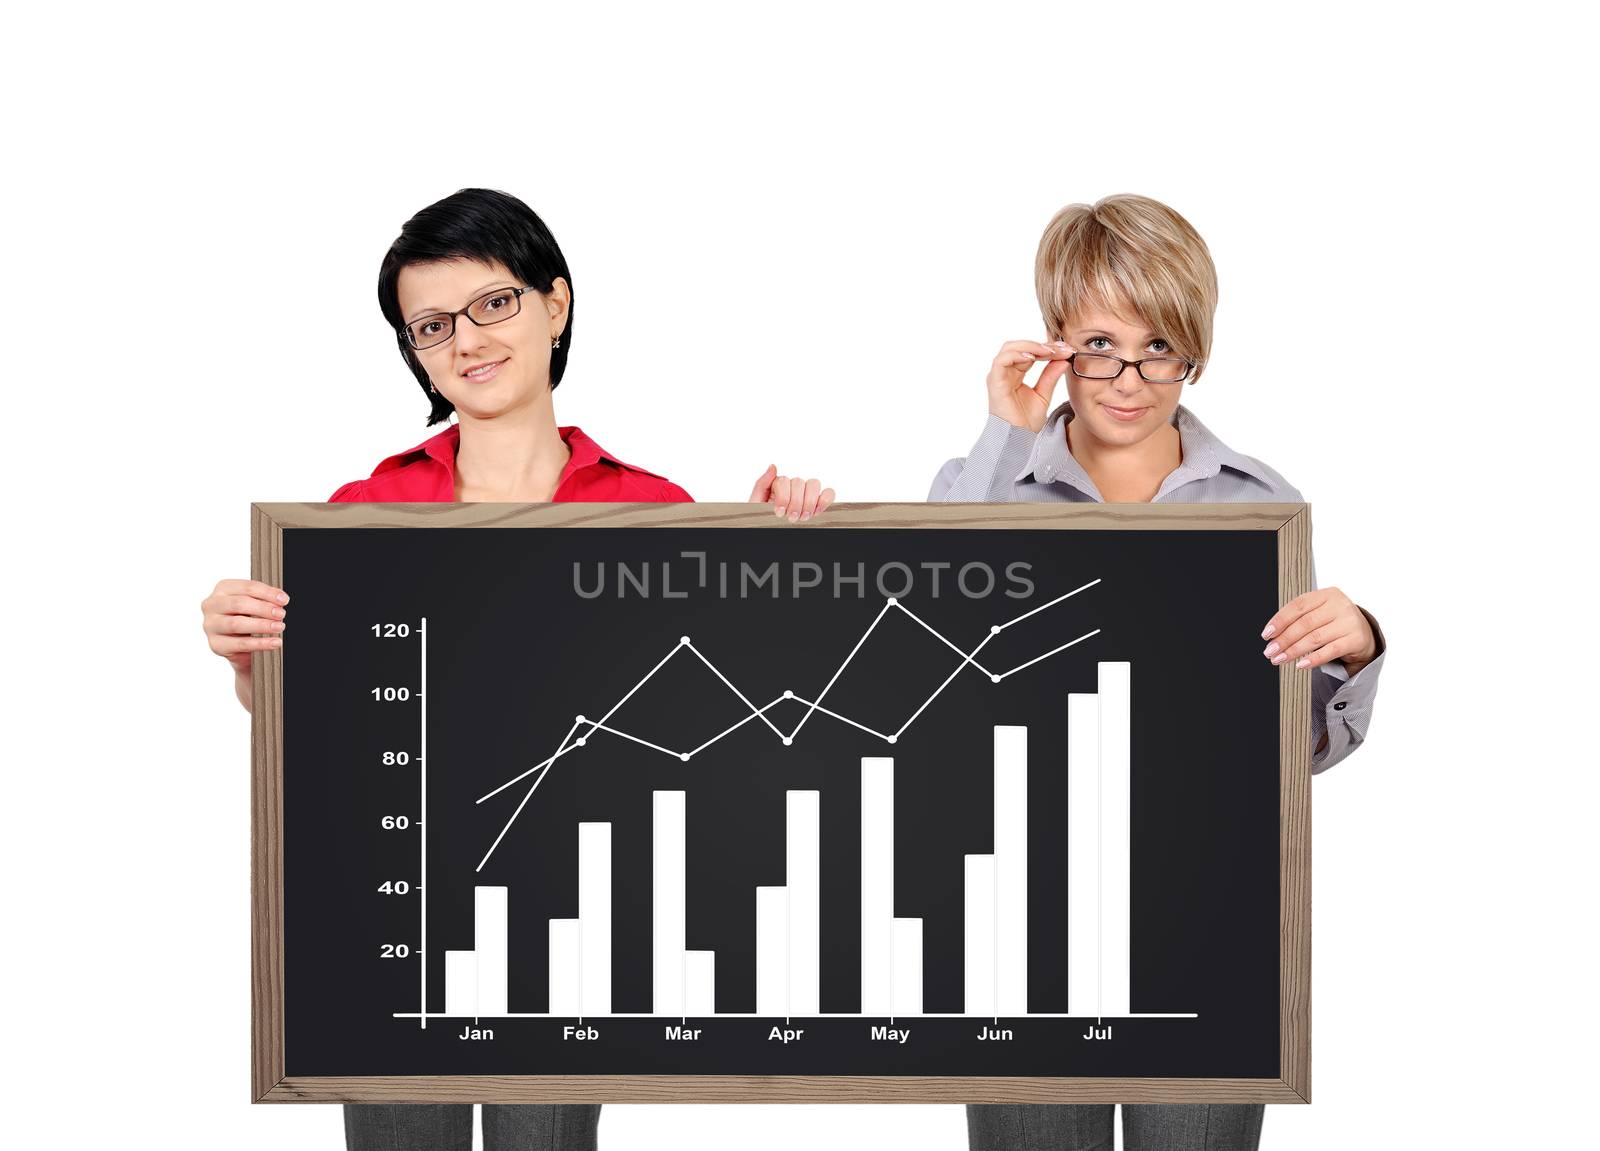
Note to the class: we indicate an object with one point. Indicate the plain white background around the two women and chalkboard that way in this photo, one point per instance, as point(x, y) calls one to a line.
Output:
point(799, 238)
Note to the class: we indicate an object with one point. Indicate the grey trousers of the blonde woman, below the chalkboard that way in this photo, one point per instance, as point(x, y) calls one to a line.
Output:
point(1089, 1126)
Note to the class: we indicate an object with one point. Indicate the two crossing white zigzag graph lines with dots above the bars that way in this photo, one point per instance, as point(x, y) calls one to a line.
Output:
point(759, 713)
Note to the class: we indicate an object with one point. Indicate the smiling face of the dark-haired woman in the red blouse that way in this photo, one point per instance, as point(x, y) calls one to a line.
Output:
point(486, 371)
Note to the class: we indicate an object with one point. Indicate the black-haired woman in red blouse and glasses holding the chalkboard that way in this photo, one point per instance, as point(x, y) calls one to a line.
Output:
point(481, 302)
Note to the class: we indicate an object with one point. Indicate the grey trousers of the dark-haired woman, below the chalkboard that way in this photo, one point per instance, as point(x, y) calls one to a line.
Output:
point(449, 1126)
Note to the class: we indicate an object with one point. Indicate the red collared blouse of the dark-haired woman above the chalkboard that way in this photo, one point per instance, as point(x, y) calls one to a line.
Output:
point(428, 475)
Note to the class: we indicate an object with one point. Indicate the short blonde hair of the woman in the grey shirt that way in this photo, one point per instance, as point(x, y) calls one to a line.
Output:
point(1129, 254)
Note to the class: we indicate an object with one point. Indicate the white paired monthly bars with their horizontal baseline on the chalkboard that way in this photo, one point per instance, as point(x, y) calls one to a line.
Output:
point(788, 918)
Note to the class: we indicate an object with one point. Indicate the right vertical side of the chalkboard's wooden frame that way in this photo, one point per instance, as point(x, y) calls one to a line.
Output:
point(1295, 825)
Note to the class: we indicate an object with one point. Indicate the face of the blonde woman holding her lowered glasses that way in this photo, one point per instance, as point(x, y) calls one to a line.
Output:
point(1129, 409)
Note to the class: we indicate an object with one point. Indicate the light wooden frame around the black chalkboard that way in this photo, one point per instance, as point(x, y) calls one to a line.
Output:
point(270, 1083)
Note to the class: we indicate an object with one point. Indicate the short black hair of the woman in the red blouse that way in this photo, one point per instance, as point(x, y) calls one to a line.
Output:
point(476, 223)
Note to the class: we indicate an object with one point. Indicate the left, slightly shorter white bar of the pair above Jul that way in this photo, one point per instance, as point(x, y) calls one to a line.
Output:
point(1084, 940)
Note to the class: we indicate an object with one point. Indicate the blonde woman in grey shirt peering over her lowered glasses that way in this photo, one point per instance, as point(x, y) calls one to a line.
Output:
point(1127, 291)
